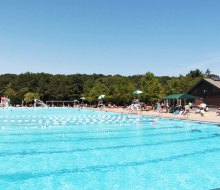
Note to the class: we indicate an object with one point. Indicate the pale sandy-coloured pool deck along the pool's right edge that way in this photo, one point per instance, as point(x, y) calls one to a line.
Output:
point(210, 117)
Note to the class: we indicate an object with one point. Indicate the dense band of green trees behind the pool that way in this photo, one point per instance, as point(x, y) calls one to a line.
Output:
point(118, 89)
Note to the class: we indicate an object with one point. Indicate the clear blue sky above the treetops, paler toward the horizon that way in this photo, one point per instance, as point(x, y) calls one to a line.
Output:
point(123, 37)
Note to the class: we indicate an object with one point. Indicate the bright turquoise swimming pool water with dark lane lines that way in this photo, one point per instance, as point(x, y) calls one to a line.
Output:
point(61, 148)
